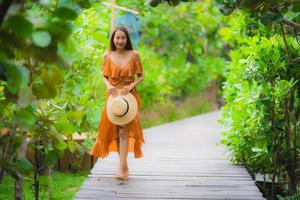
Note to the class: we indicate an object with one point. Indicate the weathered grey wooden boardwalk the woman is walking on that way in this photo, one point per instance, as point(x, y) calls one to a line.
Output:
point(181, 161)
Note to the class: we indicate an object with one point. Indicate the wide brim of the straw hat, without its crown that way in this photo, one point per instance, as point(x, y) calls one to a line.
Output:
point(130, 115)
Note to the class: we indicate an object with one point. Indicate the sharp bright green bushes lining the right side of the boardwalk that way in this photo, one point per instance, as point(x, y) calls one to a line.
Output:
point(262, 97)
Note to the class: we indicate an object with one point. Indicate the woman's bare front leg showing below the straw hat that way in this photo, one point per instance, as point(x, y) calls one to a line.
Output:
point(123, 151)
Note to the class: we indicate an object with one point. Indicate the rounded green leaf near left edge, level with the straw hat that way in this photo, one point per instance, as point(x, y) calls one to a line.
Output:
point(26, 116)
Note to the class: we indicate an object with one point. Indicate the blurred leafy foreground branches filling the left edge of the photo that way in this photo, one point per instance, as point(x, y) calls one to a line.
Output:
point(32, 69)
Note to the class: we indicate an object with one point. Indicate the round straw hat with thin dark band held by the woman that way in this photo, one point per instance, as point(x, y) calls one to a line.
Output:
point(121, 109)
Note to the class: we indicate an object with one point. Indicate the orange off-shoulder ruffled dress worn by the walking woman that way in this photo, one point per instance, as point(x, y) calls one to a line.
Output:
point(107, 138)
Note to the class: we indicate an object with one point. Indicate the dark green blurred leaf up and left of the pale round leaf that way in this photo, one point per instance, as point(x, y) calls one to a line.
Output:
point(20, 26)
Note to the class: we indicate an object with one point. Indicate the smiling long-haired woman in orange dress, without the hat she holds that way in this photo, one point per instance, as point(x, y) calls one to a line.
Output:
point(121, 65)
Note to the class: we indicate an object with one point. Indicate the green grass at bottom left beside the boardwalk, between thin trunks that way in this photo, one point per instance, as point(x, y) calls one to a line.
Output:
point(65, 186)
